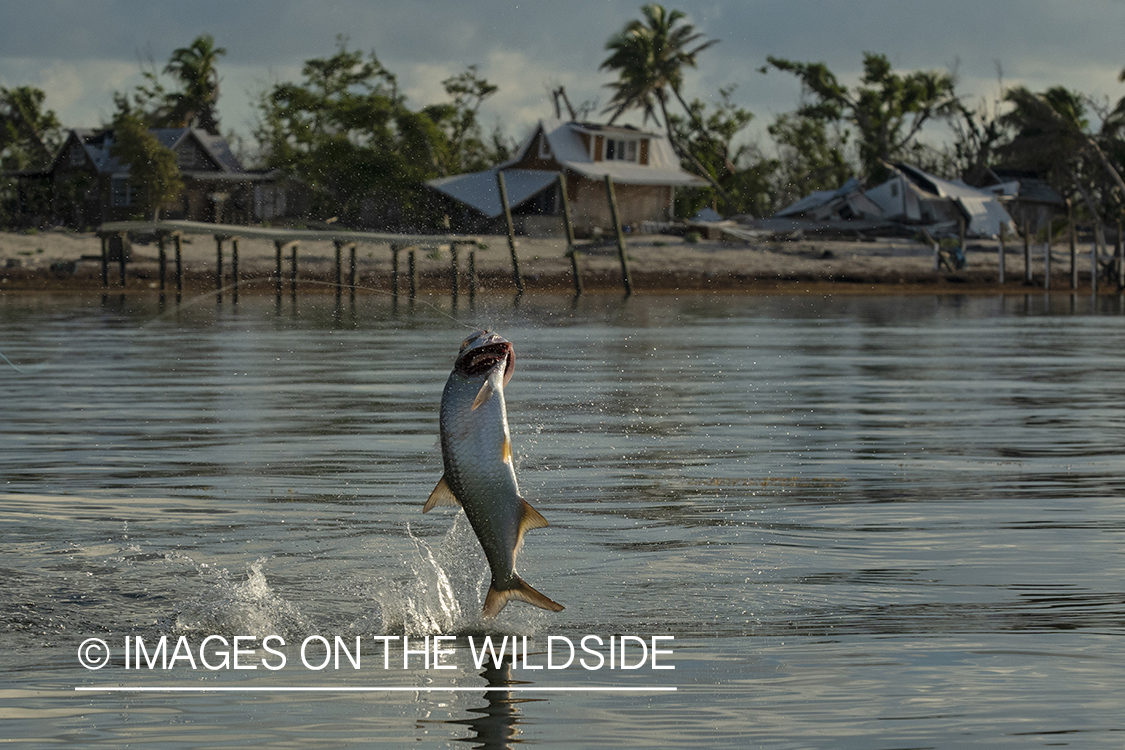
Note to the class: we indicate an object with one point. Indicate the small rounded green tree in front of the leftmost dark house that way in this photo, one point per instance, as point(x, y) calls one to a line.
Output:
point(154, 173)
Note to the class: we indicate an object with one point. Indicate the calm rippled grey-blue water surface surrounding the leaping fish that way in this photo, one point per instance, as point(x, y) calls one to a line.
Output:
point(867, 522)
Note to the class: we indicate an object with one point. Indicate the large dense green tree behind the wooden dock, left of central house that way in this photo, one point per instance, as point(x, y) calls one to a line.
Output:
point(347, 132)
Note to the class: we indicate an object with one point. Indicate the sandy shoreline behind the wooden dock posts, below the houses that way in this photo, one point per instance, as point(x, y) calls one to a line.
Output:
point(57, 261)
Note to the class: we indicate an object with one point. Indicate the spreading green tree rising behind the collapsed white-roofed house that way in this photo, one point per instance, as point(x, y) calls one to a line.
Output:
point(887, 110)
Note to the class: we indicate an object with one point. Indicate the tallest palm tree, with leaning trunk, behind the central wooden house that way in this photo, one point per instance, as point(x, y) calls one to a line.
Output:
point(650, 58)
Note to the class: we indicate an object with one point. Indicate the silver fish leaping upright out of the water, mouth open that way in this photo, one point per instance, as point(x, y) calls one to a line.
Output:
point(476, 450)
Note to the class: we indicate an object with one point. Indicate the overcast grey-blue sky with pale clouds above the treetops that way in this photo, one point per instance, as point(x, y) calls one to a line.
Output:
point(82, 52)
